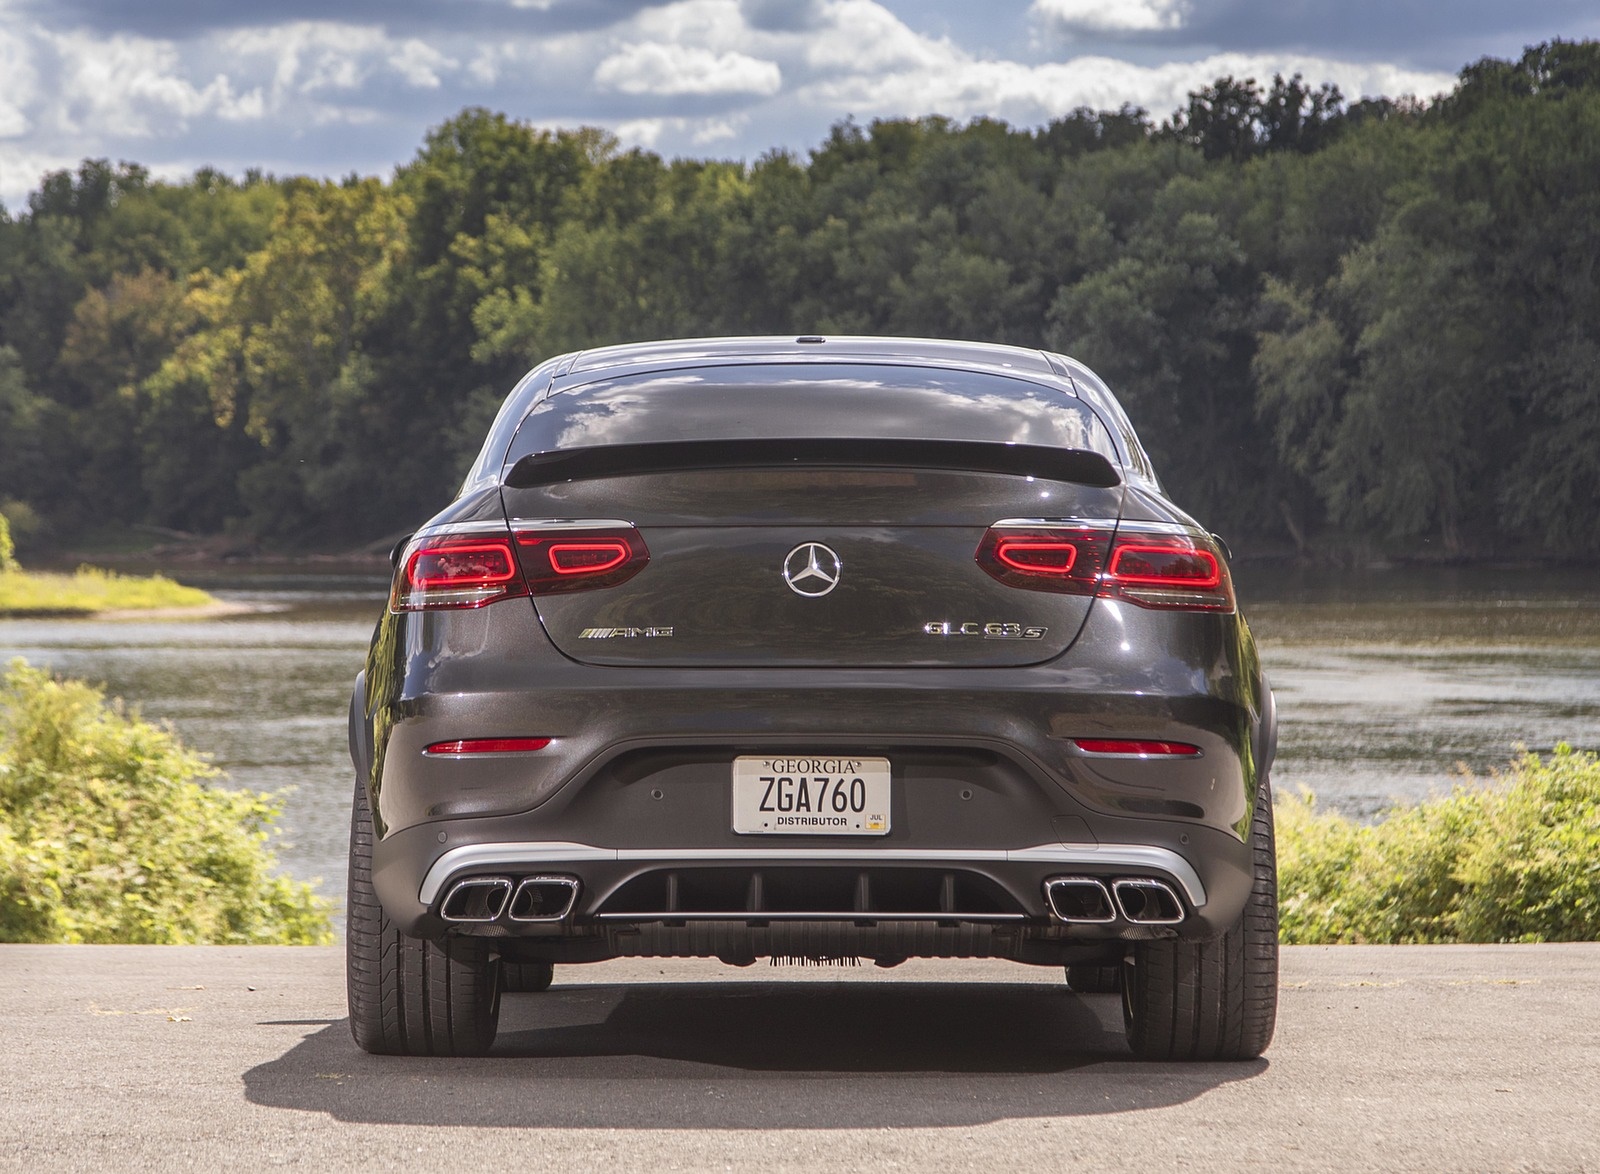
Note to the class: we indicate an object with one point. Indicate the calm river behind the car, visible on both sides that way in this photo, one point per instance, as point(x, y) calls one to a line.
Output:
point(1388, 682)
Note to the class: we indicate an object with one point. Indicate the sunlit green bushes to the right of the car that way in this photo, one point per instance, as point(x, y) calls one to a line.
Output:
point(1516, 860)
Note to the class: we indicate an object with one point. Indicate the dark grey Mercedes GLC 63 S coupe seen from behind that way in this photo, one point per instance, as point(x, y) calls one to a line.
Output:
point(814, 649)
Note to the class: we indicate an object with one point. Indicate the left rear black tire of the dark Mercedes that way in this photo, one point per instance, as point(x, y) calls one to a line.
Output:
point(407, 996)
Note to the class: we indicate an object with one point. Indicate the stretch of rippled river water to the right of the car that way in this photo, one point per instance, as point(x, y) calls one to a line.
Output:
point(1388, 682)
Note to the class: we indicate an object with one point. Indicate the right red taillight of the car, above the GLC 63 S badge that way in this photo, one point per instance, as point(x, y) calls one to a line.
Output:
point(1151, 569)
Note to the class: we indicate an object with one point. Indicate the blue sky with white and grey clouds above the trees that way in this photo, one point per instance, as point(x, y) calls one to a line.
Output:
point(310, 87)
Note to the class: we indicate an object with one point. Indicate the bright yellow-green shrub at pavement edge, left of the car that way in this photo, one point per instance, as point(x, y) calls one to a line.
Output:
point(110, 833)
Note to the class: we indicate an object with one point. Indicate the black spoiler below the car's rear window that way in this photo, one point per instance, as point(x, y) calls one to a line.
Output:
point(969, 457)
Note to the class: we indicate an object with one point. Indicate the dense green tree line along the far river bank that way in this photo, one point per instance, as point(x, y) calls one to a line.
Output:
point(1338, 325)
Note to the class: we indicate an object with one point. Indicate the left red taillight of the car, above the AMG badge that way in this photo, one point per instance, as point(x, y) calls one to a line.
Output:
point(479, 565)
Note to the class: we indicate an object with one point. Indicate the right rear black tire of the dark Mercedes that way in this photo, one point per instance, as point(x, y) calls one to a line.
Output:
point(1212, 1000)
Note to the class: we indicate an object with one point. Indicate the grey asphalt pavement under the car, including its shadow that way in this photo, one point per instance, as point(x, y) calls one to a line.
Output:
point(218, 1058)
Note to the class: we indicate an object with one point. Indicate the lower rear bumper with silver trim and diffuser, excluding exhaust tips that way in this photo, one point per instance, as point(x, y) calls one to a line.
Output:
point(676, 900)
